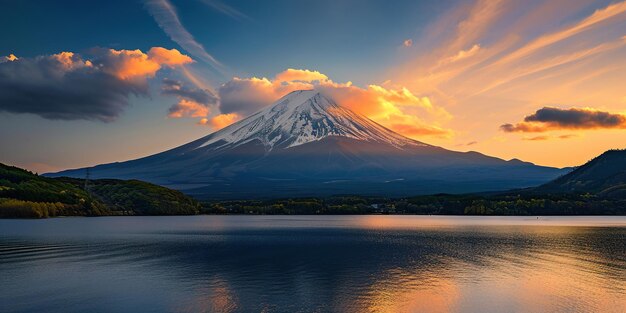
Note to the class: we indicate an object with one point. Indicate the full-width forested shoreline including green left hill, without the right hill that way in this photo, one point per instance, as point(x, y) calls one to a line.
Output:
point(27, 195)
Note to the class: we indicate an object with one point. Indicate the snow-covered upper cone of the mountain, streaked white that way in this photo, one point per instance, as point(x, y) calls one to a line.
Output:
point(300, 117)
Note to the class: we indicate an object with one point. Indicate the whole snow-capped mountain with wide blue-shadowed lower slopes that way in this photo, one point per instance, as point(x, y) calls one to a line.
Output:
point(306, 144)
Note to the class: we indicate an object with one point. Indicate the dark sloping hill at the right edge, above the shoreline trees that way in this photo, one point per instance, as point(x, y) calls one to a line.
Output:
point(605, 176)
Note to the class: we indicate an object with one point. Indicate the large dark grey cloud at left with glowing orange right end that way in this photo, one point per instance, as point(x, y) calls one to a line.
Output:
point(66, 87)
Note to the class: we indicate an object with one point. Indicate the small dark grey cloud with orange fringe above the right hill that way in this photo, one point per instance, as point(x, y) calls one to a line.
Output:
point(547, 119)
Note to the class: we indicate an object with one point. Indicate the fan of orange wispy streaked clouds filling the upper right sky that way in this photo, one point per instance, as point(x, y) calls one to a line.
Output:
point(505, 58)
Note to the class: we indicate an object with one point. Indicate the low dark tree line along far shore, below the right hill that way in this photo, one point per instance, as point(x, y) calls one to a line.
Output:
point(443, 204)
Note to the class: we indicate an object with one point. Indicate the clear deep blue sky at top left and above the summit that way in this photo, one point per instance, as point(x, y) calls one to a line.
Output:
point(323, 35)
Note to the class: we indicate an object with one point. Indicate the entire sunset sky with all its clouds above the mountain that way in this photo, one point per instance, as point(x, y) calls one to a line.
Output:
point(90, 82)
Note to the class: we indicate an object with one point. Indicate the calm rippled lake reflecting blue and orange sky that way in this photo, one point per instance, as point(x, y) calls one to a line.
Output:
point(313, 264)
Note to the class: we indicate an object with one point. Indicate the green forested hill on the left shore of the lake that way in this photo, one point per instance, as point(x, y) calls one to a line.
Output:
point(27, 195)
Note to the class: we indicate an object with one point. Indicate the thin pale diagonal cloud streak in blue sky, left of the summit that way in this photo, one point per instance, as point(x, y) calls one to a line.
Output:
point(167, 18)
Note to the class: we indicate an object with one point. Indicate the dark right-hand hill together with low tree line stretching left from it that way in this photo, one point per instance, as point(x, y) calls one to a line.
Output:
point(595, 188)
